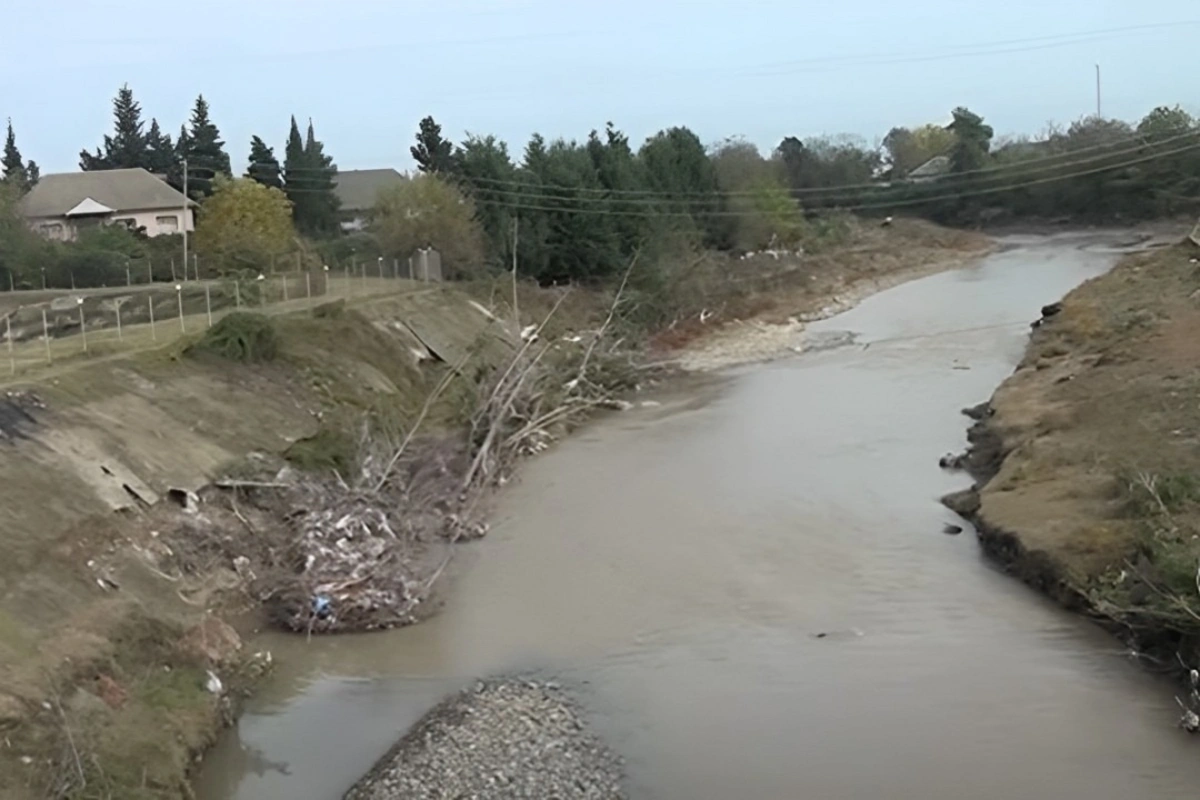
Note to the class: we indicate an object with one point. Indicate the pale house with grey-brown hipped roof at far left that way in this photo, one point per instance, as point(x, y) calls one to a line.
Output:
point(61, 206)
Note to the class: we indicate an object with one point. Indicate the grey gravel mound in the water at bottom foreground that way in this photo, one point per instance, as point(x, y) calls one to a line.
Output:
point(499, 739)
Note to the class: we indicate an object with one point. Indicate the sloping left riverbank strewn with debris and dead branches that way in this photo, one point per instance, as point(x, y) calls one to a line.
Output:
point(395, 413)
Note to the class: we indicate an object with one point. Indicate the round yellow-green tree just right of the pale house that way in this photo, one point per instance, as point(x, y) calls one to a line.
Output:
point(244, 225)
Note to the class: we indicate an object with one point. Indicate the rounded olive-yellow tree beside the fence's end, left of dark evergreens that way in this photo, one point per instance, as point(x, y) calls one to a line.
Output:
point(429, 210)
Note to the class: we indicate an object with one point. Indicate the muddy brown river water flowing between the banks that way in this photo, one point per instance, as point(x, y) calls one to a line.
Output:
point(679, 563)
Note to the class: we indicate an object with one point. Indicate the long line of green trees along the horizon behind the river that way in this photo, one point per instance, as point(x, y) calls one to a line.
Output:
point(578, 210)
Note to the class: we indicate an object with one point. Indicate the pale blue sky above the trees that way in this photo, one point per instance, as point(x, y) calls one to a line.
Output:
point(368, 71)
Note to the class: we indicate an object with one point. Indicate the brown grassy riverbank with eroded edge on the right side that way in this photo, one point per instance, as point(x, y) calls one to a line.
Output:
point(1087, 459)
